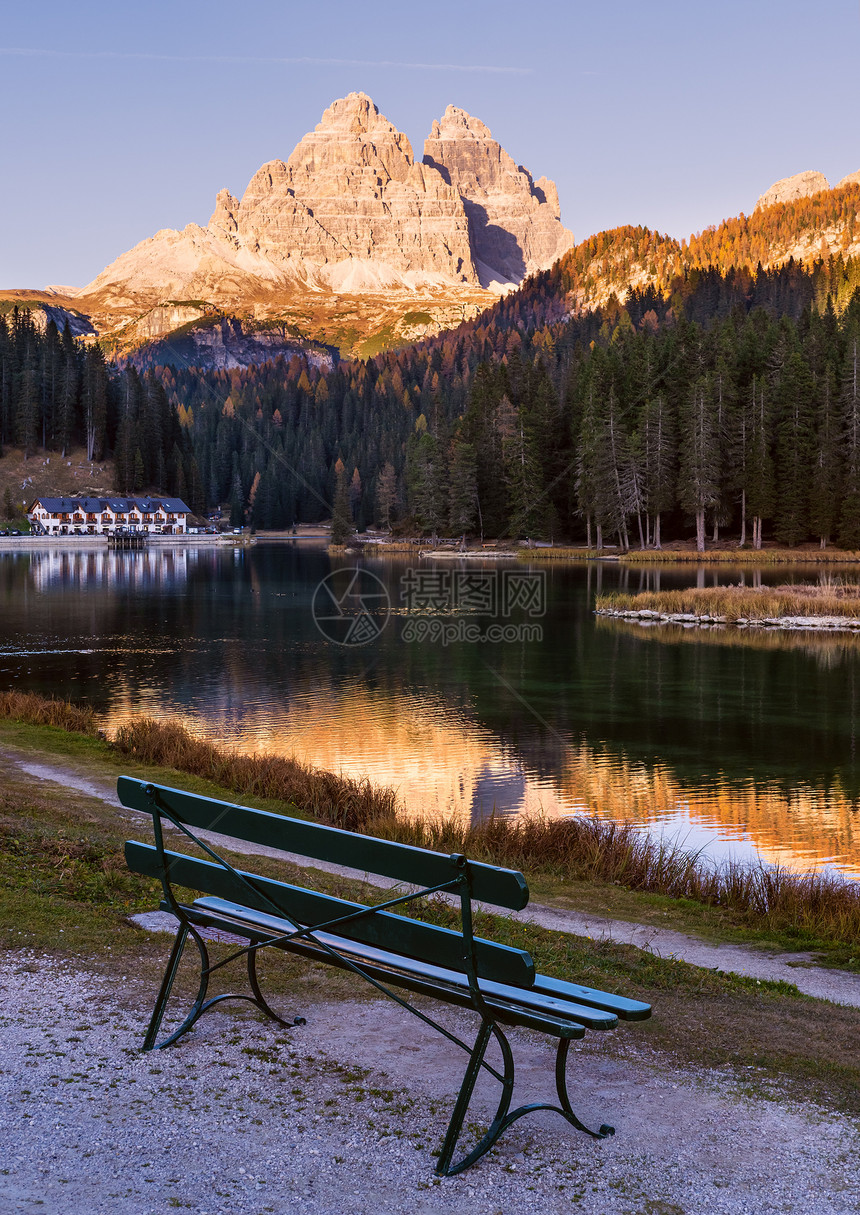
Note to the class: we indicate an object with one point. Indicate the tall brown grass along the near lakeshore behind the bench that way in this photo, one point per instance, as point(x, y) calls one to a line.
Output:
point(799, 911)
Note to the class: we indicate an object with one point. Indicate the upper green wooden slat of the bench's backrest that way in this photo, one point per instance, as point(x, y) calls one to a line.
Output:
point(411, 866)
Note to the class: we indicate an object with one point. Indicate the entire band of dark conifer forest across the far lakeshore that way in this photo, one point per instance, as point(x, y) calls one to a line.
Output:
point(731, 402)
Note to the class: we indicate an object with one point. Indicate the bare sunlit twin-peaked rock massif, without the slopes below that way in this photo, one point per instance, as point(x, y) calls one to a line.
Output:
point(353, 211)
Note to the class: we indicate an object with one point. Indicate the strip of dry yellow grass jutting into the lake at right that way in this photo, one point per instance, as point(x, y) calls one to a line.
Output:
point(743, 603)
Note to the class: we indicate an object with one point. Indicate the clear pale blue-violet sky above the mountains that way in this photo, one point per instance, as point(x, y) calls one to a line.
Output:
point(122, 120)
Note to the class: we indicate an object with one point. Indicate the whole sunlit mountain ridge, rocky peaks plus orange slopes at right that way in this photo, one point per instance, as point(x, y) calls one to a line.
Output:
point(355, 244)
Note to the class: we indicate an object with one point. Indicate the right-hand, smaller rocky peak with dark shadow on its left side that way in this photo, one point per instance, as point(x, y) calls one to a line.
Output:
point(514, 223)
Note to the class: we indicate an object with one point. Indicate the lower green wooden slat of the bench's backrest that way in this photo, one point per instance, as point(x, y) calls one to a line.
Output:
point(411, 937)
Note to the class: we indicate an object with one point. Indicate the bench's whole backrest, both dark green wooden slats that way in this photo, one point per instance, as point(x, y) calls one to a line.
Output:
point(415, 867)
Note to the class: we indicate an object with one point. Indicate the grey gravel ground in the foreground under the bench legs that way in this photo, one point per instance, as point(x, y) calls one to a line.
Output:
point(342, 1116)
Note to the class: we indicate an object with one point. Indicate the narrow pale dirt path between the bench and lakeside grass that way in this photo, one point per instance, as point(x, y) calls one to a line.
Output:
point(840, 987)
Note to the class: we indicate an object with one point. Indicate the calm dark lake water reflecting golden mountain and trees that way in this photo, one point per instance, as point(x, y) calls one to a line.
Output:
point(743, 744)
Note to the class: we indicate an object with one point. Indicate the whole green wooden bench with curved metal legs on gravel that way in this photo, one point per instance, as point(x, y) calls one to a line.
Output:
point(376, 943)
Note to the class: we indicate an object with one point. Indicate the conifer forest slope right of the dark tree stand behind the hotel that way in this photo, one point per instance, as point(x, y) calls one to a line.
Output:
point(615, 426)
